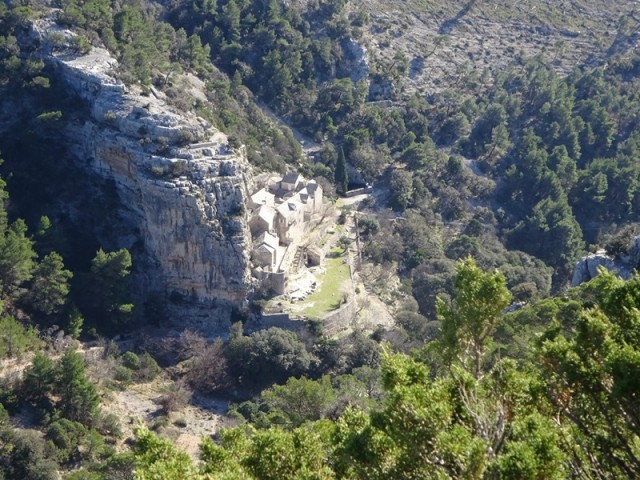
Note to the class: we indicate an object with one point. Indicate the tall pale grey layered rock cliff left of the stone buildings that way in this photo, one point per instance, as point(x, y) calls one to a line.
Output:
point(181, 190)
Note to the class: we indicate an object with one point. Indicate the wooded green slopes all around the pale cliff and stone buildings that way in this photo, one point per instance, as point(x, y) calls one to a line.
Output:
point(487, 188)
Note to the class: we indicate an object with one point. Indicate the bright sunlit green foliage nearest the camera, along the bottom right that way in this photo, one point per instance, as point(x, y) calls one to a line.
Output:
point(567, 409)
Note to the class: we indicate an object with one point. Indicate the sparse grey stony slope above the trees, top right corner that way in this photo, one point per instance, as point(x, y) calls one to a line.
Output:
point(445, 40)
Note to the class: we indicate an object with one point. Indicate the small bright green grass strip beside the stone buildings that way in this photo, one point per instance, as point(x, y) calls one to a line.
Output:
point(328, 297)
